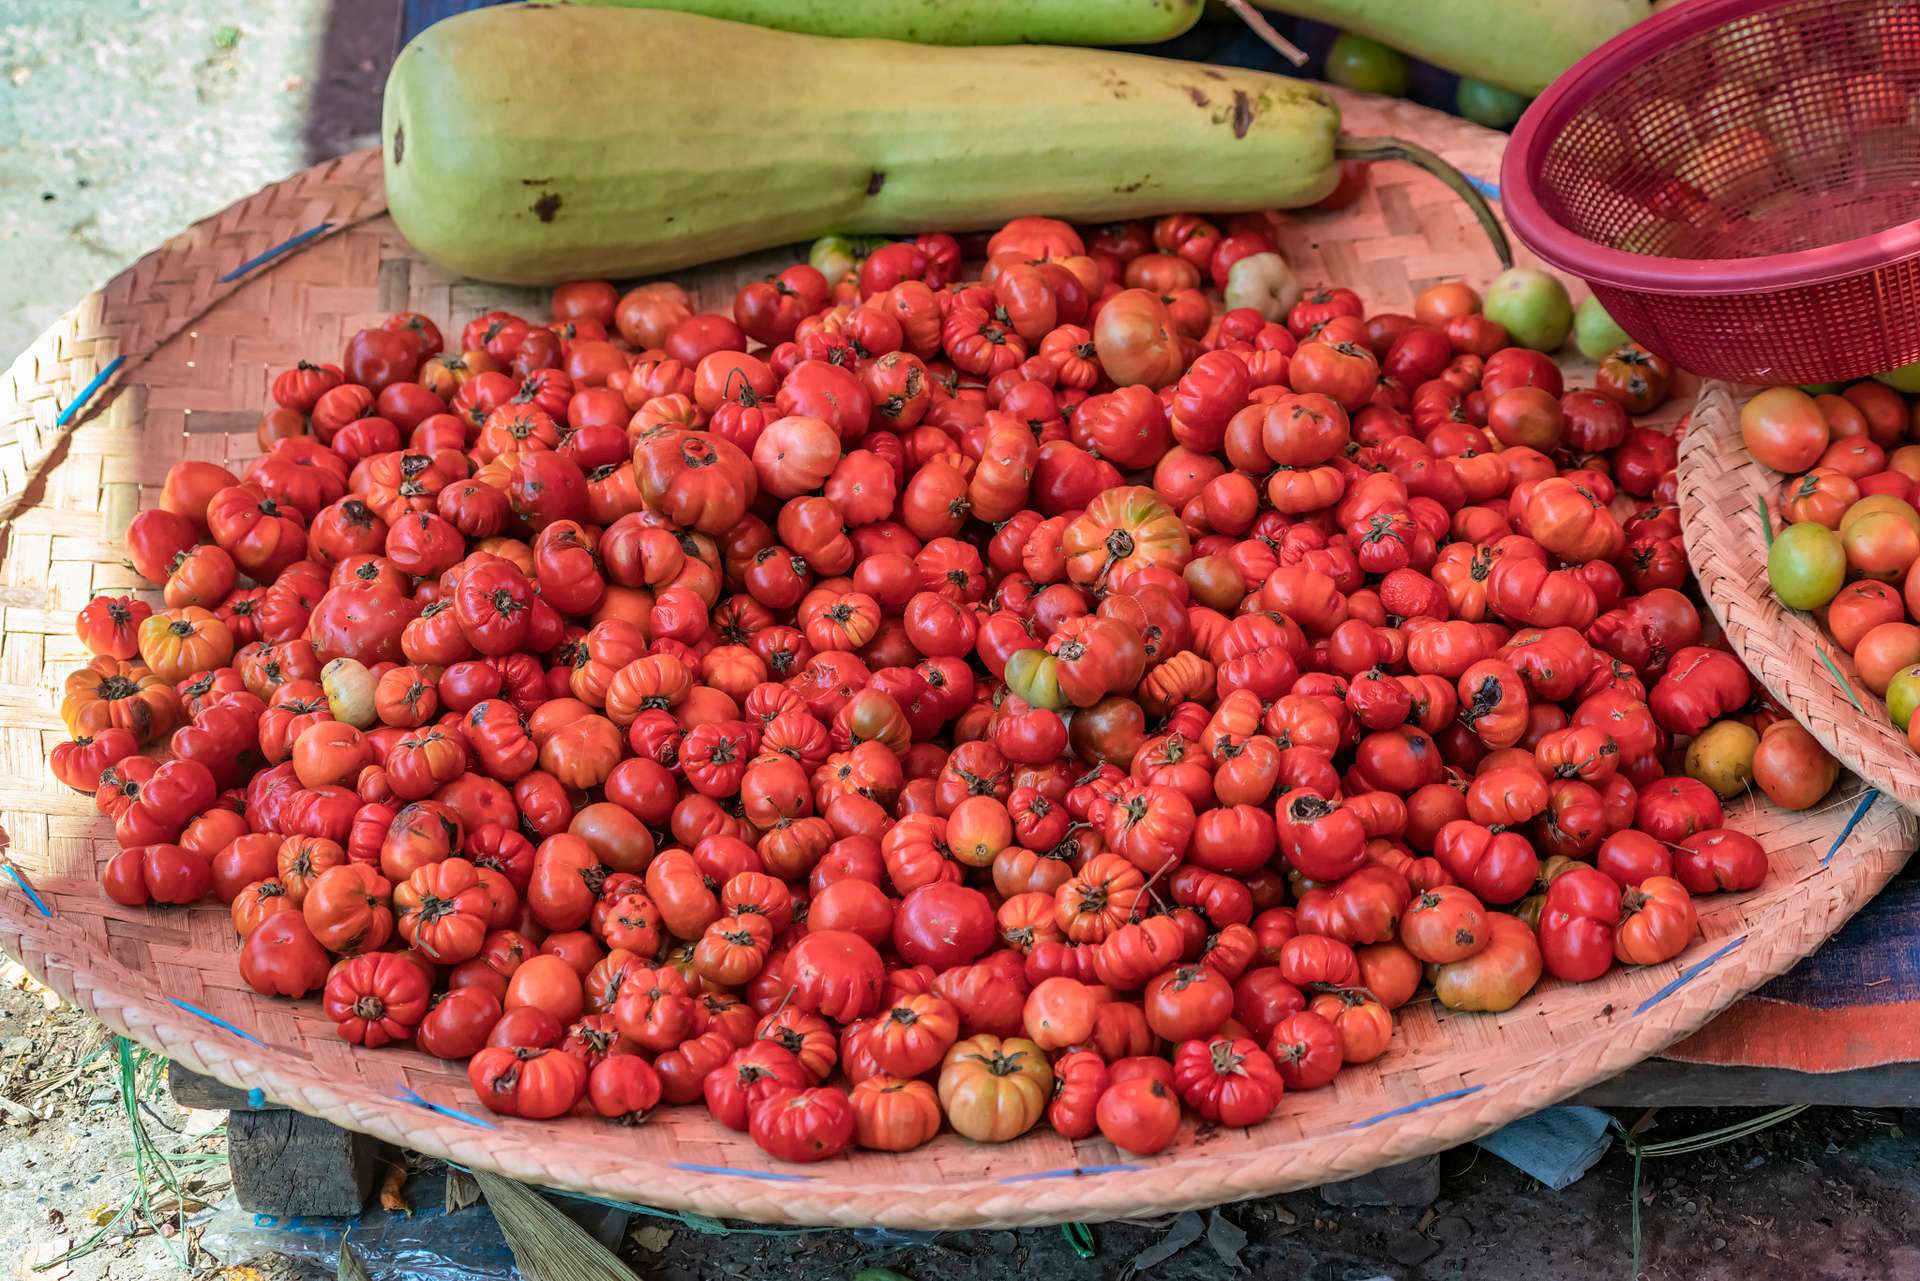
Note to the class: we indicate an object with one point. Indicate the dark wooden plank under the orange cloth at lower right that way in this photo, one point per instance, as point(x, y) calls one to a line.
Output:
point(1669, 1084)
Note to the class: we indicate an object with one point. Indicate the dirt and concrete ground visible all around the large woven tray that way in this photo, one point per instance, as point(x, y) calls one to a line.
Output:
point(191, 105)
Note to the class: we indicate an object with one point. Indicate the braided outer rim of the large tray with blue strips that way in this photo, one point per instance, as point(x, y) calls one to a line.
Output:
point(1844, 856)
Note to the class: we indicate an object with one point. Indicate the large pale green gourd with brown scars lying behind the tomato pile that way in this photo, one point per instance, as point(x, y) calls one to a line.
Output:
point(539, 145)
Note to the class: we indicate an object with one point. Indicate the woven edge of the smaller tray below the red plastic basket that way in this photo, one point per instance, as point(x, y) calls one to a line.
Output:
point(1725, 504)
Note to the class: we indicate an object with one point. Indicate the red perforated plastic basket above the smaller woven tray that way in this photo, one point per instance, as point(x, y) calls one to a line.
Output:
point(1739, 181)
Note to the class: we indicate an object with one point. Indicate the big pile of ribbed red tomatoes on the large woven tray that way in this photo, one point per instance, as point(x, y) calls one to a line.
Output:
point(1038, 694)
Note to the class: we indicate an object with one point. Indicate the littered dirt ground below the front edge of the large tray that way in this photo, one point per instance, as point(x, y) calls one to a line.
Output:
point(1827, 1196)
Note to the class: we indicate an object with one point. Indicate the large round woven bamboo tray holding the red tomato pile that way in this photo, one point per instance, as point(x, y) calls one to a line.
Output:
point(172, 360)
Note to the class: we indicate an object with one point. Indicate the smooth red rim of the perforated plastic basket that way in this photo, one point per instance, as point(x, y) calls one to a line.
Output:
point(1596, 262)
